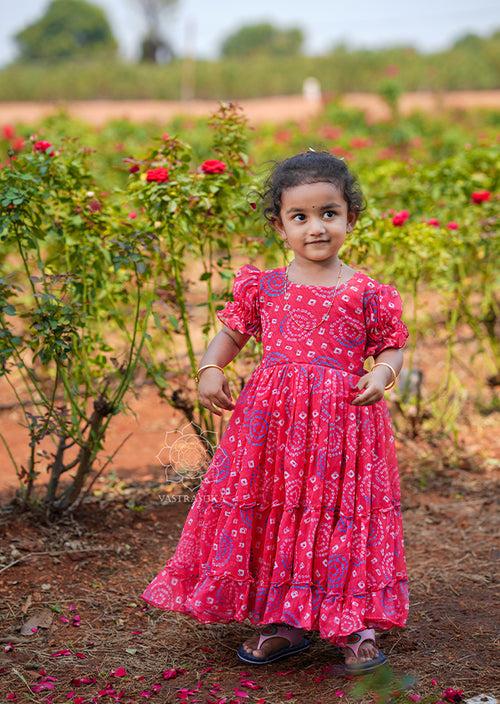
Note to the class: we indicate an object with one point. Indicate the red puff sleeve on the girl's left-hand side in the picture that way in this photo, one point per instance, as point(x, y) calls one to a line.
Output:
point(243, 312)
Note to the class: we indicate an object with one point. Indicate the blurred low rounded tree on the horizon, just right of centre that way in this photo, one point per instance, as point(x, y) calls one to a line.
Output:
point(263, 38)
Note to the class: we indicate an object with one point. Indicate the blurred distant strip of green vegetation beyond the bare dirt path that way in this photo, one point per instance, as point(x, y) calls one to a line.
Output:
point(339, 71)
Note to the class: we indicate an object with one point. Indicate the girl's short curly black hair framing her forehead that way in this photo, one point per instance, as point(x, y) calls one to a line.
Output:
point(310, 167)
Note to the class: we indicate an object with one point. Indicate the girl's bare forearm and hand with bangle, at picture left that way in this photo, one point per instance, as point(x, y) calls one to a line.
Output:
point(213, 387)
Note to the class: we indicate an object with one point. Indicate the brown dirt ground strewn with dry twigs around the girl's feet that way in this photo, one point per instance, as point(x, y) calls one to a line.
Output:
point(449, 530)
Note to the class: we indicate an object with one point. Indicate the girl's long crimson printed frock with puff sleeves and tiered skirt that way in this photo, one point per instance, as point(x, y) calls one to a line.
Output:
point(298, 517)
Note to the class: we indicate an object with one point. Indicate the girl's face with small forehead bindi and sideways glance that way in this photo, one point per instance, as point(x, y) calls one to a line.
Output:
point(314, 219)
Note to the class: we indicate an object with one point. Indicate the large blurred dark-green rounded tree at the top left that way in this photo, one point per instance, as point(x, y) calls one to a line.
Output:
point(69, 29)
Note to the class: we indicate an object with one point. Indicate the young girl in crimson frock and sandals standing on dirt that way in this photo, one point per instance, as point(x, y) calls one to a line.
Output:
point(297, 523)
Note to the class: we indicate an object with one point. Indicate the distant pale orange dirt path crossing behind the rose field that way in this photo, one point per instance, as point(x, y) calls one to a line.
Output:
point(274, 109)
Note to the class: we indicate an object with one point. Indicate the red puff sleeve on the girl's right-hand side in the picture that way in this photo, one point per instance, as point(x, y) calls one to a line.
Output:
point(383, 308)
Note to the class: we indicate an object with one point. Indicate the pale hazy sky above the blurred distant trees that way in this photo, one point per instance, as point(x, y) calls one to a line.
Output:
point(199, 26)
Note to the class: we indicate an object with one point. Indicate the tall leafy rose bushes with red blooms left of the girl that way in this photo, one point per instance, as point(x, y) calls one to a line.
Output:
point(80, 281)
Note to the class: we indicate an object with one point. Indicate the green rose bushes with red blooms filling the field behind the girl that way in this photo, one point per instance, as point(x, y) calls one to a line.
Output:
point(96, 257)
